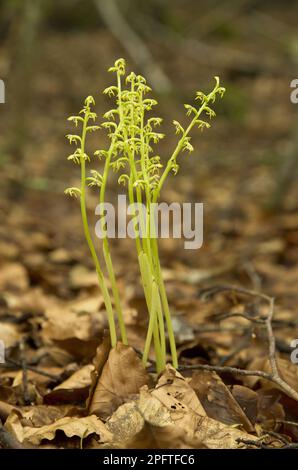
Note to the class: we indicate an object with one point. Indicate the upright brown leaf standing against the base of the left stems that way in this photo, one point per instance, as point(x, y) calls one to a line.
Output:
point(122, 376)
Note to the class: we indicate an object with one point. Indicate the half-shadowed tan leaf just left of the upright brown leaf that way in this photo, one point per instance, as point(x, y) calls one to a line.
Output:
point(74, 389)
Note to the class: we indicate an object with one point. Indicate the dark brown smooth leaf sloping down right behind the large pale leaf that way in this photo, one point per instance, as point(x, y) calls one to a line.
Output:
point(218, 401)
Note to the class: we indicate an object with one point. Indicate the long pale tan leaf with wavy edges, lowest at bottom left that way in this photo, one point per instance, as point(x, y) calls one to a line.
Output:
point(71, 426)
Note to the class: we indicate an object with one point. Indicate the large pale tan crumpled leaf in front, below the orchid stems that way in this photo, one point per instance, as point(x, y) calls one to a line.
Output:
point(148, 423)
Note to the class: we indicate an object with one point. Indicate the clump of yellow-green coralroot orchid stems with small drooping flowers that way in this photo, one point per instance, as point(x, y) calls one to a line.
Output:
point(132, 135)
